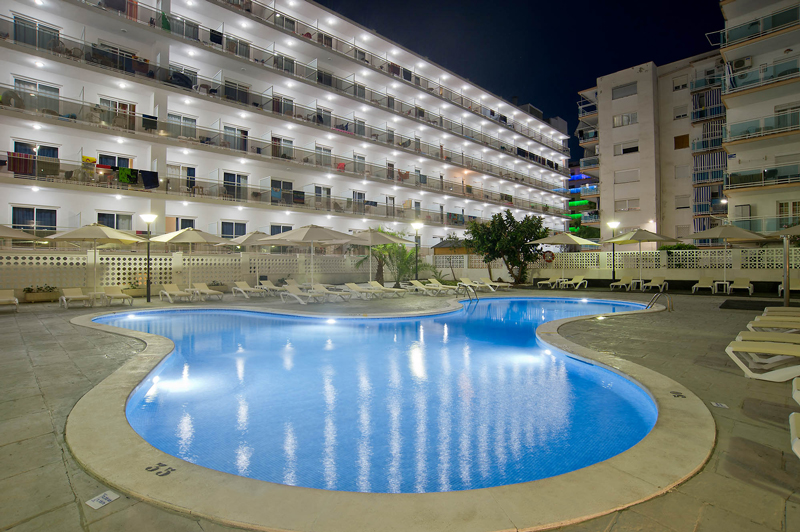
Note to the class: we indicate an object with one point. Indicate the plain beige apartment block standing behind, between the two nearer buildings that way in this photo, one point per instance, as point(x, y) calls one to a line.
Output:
point(636, 127)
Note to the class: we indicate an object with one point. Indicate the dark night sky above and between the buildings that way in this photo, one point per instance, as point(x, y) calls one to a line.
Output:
point(542, 51)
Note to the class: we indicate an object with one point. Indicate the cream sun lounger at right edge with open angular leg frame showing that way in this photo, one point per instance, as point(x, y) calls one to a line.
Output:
point(744, 353)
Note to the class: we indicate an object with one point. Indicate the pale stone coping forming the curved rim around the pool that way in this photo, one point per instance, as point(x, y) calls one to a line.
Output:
point(104, 444)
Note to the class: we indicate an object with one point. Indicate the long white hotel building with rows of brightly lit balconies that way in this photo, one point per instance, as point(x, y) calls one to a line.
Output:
point(232, 116)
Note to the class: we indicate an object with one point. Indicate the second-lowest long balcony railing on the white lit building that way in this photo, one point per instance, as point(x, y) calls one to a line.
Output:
point(67, 111)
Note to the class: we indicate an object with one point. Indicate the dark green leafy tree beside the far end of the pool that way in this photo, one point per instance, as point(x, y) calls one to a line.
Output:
point(504, 237)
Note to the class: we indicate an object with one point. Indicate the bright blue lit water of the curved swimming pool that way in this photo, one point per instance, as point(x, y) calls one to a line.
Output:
point(455, 401)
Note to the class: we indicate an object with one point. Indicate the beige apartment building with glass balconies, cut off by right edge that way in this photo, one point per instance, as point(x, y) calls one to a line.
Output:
point(760, 46)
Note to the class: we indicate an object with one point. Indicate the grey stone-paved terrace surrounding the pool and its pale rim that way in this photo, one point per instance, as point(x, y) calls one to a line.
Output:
point(751, 483)
